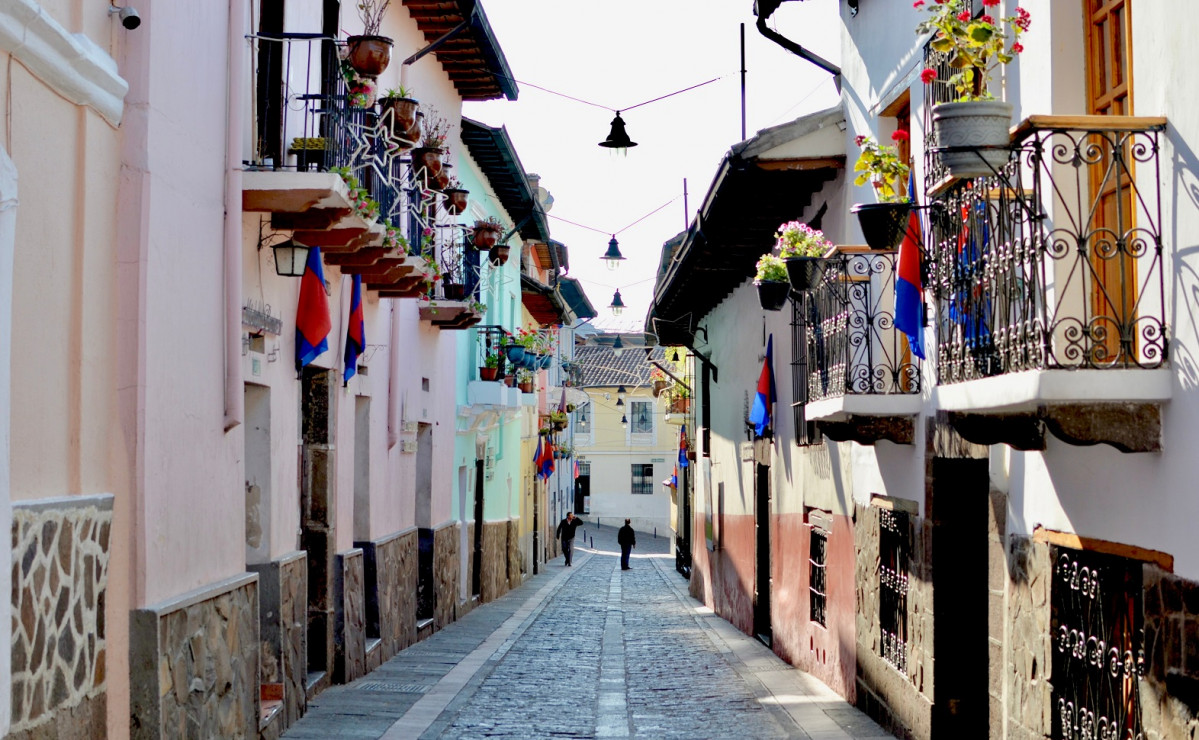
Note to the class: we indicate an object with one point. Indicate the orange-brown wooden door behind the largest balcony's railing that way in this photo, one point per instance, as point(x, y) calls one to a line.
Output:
point(1110, 87)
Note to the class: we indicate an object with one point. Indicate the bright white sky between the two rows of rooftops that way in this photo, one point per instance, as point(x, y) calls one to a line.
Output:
point(619, 53)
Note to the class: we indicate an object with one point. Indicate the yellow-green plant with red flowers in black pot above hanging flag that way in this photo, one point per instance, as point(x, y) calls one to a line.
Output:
point(884, 222)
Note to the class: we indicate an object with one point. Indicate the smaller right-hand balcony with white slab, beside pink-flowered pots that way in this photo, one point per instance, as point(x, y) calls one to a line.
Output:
point(863, 380)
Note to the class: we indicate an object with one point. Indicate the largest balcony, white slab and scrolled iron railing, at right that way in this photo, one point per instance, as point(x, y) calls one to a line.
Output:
point(1050, 288)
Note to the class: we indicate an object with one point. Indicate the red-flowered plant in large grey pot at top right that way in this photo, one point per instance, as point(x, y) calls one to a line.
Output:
point(975, 125)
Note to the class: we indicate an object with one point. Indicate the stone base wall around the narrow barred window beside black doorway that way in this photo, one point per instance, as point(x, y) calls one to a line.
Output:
point(900, 702)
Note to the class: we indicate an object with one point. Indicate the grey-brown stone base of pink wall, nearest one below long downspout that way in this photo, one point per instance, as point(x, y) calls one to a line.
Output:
point(194, 665)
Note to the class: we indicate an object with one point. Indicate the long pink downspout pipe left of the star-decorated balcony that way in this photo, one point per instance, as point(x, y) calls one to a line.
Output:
point(234, 387)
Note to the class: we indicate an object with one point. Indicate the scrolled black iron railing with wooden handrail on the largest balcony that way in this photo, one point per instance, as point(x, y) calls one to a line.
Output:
point(1056, 262)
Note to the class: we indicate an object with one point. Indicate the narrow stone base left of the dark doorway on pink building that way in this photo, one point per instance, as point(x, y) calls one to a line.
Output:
point(284, 609)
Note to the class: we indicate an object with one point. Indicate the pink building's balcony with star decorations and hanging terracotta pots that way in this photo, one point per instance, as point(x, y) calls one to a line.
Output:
point(318, 155)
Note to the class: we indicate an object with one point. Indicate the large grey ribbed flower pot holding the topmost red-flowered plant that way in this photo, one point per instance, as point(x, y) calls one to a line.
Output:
point(979, 130)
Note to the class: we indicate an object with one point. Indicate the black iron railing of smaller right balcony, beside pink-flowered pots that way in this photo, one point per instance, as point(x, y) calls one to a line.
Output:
point(853, 344)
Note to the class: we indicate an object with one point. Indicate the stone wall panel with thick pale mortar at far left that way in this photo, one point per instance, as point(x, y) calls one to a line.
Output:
point(59, 581)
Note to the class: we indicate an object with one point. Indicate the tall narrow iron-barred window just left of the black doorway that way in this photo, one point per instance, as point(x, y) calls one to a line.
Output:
point(894, 549)
